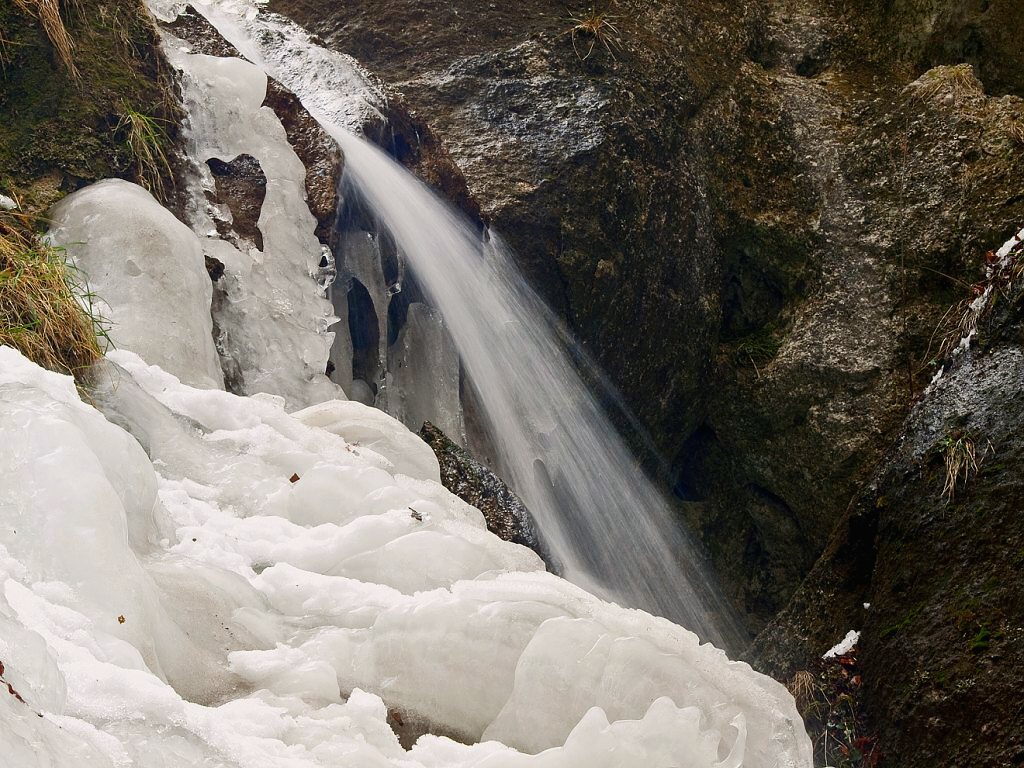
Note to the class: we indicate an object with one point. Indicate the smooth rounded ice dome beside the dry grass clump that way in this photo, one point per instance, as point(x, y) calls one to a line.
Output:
point(148, 274)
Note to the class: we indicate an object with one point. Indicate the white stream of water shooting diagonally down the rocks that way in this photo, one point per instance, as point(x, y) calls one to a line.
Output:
point(605, 523)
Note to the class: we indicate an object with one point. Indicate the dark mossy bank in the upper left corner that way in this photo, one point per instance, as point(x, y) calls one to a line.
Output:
point(53, 124)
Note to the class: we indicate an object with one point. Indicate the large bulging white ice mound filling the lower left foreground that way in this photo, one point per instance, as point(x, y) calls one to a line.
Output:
point(204, 580)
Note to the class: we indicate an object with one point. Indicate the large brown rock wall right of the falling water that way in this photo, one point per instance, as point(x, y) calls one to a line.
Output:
point(754, 217)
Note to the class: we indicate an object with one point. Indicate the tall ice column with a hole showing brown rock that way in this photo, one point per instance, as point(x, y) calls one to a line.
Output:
point(274, 325)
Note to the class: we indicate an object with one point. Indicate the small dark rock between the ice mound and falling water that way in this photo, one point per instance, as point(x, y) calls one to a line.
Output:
point(507, 517)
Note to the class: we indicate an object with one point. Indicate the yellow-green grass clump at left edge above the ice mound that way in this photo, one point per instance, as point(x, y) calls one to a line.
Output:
point(46, 310)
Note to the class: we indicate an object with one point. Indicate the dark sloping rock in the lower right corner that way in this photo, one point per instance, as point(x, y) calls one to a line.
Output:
point(941, 651)
